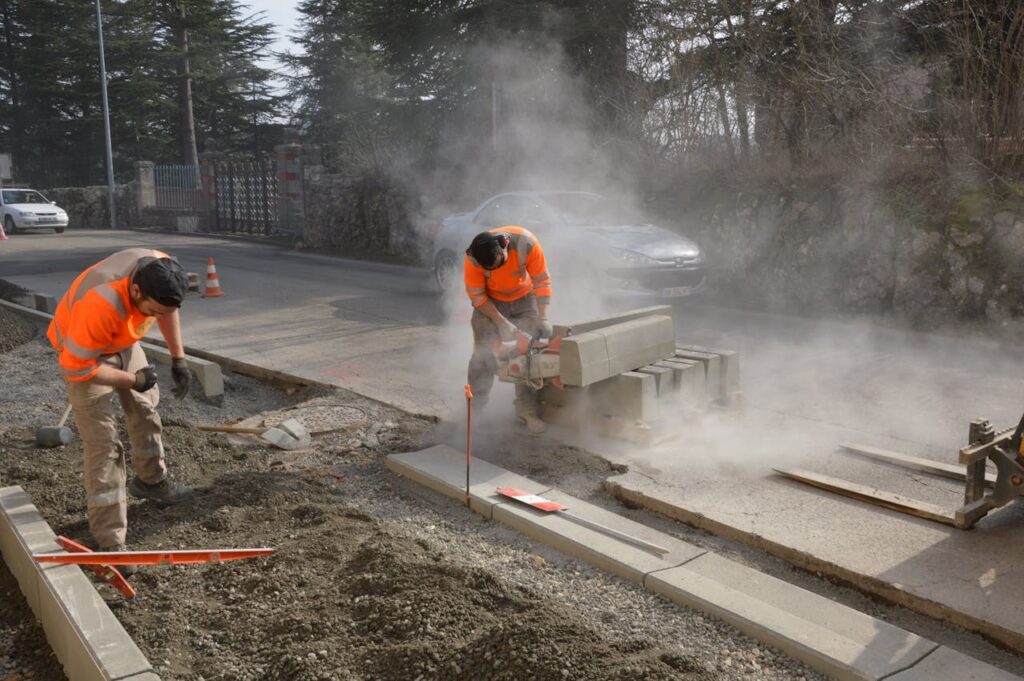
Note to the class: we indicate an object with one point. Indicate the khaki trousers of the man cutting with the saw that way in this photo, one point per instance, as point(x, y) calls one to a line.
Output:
point(483, 365)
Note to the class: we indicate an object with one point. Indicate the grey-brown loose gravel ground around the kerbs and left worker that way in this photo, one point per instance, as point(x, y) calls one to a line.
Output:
point(374, 577)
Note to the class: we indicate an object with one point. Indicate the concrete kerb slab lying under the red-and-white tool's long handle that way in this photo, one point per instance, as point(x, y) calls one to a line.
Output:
point(607, 552)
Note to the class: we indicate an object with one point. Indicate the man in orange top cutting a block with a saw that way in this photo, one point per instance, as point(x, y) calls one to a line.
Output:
point(507, 281)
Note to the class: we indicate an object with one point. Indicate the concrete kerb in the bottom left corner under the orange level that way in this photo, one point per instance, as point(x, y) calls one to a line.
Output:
point(86, 636)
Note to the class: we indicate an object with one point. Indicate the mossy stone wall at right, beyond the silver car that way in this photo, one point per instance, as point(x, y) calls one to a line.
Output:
point(862, 250)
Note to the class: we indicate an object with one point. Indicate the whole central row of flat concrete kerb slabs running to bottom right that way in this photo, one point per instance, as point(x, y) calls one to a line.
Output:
point(832, 639)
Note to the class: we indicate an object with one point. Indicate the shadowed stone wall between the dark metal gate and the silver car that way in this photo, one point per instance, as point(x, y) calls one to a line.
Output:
point(361, 216)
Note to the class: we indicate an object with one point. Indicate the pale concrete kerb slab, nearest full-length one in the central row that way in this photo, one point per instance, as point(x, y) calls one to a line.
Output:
point(835, 640)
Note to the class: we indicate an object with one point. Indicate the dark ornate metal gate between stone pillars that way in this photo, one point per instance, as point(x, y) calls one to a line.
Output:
point(247, 196)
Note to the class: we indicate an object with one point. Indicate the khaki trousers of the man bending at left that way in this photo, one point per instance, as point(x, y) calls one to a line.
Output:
point(105, 470)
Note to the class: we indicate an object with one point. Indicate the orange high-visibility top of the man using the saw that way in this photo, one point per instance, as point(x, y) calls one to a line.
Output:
point(525, 272)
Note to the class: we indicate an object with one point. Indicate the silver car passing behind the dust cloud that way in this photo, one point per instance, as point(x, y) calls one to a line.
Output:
point(587, 238)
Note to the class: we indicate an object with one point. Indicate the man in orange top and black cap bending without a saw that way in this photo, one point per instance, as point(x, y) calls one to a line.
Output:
point(97, 329)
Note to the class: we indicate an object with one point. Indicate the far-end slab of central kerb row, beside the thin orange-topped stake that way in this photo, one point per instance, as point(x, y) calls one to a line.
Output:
point(443, 470)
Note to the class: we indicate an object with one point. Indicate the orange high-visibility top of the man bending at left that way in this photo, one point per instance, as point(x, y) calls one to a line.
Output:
point(97, 316)
